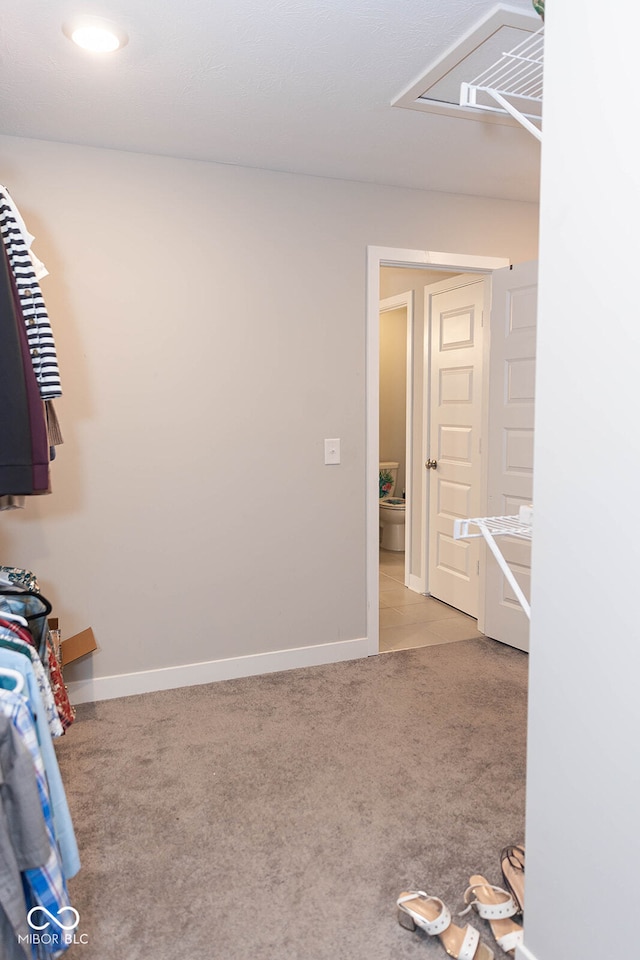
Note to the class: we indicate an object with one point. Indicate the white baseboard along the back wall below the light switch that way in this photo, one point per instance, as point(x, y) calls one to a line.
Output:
point(209, 671)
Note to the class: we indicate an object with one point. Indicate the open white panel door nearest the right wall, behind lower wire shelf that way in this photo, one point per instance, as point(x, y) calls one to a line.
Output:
point(510, 443)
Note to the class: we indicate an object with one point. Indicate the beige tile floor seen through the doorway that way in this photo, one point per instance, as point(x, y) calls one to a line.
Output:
point(408, 619)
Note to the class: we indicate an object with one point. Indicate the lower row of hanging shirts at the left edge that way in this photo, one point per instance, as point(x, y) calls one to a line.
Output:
point(33, 885)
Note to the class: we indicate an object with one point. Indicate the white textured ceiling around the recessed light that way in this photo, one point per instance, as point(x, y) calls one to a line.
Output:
point(292, 85)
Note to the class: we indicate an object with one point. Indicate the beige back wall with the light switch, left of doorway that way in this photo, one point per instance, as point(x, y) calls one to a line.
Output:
point(210, 322)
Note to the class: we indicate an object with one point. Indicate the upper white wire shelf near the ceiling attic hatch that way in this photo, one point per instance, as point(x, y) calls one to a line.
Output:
point(513, 84)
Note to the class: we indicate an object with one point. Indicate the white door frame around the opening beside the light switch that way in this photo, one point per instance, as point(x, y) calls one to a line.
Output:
point(378, 257)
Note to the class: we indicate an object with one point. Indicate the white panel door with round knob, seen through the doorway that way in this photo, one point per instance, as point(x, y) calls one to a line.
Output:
point(456, 309)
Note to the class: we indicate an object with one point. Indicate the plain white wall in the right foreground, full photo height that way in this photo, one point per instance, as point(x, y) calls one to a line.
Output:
point(583, 772)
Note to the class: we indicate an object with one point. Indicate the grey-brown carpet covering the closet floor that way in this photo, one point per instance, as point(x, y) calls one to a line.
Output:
point(280, 816)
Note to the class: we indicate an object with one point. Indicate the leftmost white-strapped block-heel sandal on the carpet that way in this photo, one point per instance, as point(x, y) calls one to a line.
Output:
point(418, 909)
